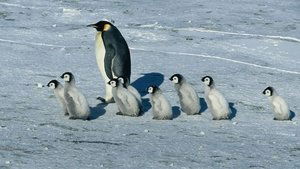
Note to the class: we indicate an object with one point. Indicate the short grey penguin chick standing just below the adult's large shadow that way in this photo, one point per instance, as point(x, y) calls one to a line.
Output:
point(161, 107)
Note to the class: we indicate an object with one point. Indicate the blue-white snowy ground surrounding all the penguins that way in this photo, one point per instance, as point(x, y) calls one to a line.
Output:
point(244, 45)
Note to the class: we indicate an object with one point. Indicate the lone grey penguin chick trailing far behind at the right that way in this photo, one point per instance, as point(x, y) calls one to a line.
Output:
point(280, 107)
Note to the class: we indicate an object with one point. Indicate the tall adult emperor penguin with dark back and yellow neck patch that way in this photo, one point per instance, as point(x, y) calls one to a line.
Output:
point(112, 54)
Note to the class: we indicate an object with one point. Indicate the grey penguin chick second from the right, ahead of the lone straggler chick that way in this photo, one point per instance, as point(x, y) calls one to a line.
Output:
point(216, 102)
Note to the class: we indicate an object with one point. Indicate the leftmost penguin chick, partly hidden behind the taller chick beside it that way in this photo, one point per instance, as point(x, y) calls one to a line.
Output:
point(58, 89)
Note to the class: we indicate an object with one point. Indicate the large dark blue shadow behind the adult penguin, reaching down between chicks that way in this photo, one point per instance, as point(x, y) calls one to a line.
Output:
point(142, 83)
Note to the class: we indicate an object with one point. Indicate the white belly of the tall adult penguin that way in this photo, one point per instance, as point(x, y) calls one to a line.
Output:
point(100, 55)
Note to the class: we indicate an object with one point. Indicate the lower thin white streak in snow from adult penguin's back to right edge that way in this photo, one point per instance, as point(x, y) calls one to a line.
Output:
point(220, 58)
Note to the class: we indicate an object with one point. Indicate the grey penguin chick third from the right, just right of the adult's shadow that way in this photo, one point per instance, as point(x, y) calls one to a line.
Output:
point(188, 98)
